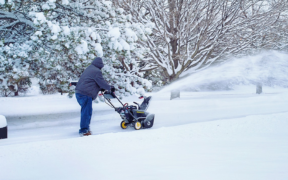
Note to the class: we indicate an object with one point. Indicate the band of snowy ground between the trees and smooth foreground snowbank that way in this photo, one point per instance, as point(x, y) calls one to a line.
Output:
point(192, 107)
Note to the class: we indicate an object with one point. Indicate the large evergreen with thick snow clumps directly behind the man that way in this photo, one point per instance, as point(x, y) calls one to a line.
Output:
point(70, 34)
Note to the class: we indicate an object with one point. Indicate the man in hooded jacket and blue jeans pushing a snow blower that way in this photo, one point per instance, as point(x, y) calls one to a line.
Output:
point(87, 89)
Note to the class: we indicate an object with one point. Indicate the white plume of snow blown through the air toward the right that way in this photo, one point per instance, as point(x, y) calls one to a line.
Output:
point(269, 69)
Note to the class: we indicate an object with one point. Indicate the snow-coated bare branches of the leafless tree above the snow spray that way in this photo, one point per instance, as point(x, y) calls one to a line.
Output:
point(192, 34)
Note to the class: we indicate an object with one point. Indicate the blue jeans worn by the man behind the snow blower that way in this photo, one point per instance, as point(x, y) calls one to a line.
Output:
point(86, 112)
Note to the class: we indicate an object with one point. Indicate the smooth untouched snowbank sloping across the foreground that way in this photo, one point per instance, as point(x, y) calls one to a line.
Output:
point(247, 148)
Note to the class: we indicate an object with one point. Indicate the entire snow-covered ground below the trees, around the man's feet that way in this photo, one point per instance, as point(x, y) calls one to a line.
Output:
point(224, 135)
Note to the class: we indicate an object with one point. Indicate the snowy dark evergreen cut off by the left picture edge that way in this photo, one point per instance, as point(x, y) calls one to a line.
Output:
point(15, 30)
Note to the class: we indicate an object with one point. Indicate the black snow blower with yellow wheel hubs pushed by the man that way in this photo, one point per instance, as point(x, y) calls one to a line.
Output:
point(132, 115)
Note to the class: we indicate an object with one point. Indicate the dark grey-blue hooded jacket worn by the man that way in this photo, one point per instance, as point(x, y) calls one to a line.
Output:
point(91, 80)
